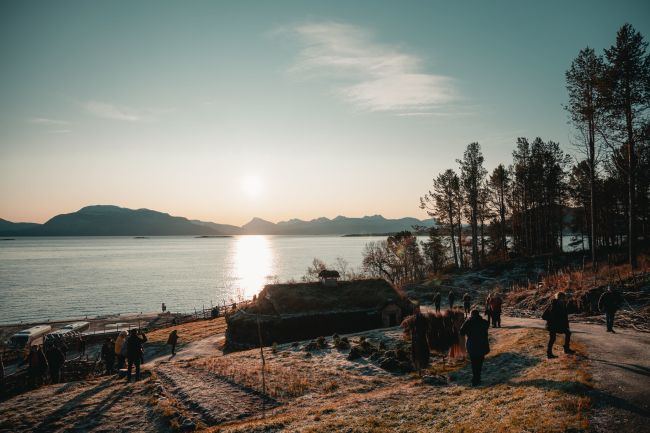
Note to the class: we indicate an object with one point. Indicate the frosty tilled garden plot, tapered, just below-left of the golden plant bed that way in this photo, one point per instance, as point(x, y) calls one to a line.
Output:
point(212, 398)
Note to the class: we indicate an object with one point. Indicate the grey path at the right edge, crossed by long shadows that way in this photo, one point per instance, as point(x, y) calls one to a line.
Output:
point(620, 364)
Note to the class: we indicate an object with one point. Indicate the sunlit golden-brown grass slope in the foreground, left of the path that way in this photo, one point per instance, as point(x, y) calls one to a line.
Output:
point(523, 391)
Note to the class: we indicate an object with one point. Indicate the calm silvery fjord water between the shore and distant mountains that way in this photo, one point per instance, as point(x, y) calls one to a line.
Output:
point(58, 278)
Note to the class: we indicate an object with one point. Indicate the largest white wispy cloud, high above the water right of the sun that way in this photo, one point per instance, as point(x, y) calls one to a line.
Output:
point(373, 76)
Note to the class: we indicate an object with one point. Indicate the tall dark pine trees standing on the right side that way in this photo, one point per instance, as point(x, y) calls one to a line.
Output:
point(603, 189)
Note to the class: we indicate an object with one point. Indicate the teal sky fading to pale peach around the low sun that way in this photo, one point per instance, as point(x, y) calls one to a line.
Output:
point(226, 110)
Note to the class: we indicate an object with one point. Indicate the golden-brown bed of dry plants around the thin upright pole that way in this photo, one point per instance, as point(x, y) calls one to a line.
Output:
point(281, 383)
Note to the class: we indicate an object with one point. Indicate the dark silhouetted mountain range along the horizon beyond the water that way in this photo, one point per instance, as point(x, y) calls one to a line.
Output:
point(106, 220)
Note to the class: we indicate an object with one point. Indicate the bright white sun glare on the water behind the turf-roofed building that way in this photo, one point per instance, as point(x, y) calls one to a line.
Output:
point(253, 264)
